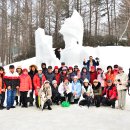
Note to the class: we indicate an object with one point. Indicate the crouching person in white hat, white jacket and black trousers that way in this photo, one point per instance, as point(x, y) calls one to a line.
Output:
point(87, 93)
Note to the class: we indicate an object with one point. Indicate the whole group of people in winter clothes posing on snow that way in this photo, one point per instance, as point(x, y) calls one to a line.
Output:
point(90, 86)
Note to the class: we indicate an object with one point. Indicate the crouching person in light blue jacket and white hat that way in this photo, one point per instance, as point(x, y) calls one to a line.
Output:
point(76, 90)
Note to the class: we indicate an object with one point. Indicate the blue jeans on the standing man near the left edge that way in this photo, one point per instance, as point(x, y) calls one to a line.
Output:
point(10, 97)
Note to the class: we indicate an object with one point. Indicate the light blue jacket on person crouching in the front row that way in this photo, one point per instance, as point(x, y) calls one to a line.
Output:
point(77, 87)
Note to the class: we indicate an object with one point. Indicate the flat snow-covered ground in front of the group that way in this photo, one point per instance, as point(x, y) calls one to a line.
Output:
point(71, 118)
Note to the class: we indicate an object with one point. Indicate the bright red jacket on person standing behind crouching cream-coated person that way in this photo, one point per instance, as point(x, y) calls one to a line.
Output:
point(37, 83)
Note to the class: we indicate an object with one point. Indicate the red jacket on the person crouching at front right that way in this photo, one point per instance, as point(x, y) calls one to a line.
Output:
point(110, 92)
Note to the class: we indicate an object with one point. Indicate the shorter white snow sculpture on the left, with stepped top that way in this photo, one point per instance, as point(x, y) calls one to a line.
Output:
point(44, 50)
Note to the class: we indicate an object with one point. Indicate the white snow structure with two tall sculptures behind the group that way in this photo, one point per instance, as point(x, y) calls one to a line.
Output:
point(74, 53)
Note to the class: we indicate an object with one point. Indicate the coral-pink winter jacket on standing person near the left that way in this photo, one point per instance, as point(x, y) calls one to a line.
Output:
point(25, 83)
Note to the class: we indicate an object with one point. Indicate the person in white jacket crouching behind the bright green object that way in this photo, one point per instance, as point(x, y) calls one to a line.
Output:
point(65, 91)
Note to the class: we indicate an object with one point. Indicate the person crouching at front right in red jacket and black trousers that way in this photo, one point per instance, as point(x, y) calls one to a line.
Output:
point(110, 93)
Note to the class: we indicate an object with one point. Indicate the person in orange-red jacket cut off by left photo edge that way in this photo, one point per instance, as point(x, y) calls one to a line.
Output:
point(2, 88)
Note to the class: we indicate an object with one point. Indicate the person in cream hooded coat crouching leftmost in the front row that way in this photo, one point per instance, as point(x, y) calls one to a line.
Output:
point(45, 94)
